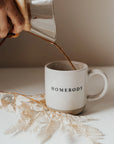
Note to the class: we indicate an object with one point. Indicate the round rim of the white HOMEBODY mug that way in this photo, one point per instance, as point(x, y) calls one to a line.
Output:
point(85, 66)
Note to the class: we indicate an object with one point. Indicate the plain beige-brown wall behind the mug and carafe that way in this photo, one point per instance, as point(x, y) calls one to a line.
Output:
point(85, 29)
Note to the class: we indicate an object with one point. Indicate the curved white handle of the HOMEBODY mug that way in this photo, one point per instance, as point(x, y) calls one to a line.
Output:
point(98, 96)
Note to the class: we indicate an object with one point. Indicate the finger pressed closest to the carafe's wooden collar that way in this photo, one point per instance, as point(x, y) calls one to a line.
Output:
point(15, 16)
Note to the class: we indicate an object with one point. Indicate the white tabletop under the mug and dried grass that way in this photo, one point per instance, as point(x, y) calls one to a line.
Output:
point(31, 81)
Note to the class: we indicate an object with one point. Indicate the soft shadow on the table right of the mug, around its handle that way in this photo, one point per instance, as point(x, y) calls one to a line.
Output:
point(107, 102)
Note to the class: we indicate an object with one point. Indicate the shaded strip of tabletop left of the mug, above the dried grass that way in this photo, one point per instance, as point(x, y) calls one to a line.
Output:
point(25, 80)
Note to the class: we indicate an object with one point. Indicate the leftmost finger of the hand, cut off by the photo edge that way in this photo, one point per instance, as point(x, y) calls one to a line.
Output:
point(4, 26)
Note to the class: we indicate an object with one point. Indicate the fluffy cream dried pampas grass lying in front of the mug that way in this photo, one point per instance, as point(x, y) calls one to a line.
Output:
point(34, 116)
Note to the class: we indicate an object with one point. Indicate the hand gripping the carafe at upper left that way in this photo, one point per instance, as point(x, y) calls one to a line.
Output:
point(10, 12)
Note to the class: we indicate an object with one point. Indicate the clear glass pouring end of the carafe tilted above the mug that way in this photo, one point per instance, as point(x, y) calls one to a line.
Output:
point(42, 19)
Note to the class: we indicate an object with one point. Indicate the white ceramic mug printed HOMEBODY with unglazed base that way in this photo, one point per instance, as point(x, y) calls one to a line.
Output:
point(66, 89)
